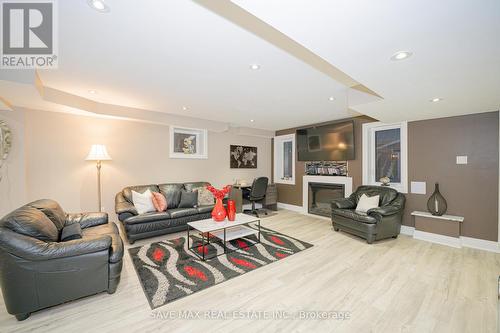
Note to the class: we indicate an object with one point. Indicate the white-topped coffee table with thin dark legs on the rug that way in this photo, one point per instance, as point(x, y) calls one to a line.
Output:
point(224, 231)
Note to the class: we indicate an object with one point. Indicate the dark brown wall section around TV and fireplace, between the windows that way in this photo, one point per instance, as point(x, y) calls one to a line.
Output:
point(292, 194)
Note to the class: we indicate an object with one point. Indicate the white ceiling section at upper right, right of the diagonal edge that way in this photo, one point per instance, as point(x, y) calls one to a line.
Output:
point(455, 45)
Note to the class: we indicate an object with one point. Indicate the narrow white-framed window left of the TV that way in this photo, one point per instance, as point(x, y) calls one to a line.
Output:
point(284, 159)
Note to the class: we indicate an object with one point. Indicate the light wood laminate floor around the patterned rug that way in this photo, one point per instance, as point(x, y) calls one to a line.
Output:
point(401, 285)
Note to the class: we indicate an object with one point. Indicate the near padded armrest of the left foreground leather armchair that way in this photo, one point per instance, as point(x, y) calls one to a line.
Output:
point(36, 250)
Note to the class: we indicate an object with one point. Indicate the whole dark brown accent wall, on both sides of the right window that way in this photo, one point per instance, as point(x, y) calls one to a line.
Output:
point(471, 190)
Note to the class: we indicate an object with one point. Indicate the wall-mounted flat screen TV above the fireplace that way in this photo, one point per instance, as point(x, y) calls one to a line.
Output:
point(332, 142)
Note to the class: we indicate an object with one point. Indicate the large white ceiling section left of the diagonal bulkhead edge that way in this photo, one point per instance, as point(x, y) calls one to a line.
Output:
point(163, 55)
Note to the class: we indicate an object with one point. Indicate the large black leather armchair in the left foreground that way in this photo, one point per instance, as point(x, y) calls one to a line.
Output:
point(37, 270)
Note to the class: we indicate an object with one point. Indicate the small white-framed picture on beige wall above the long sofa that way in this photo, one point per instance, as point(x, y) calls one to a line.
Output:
point(188, 142)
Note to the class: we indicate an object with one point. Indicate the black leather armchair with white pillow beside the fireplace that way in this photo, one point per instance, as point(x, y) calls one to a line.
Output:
point(377, 223)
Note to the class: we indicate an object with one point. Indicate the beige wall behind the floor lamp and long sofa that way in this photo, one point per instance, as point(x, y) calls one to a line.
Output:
point(57, 144)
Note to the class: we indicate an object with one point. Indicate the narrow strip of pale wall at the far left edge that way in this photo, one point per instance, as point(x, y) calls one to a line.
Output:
point(13, 183)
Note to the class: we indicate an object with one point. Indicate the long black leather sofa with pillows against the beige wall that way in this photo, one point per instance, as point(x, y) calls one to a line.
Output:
point(158, 223)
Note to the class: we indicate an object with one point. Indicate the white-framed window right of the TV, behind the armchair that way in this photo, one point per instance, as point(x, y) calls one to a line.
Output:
point(385, 154)
